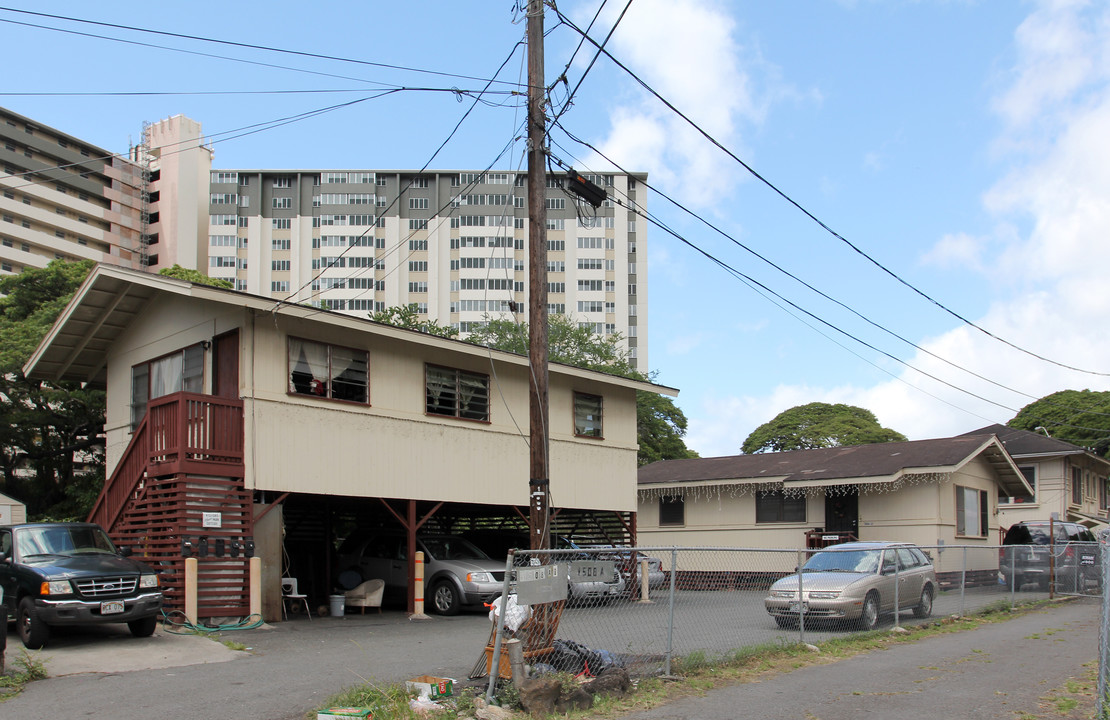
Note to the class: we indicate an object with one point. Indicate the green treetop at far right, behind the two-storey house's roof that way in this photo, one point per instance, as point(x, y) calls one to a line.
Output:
point(1082, 418)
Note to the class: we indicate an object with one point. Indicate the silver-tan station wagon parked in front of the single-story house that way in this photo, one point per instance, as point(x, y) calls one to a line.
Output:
point(855, 583)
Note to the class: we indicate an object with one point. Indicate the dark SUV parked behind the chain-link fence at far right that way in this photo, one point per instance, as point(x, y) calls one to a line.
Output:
point(1034, 550)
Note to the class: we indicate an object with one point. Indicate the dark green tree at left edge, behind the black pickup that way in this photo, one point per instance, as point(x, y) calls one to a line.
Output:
point(52, 443)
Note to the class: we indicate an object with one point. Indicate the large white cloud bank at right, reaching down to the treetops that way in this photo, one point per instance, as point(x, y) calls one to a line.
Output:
point(1046, 259)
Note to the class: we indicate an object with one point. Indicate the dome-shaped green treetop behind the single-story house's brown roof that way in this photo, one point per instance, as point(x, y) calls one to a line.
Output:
point(815, 425)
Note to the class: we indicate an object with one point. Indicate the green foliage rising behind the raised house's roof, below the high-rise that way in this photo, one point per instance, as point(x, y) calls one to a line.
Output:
point(661, 424)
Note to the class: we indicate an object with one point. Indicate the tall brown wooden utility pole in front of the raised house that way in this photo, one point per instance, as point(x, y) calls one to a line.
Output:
point(539, 481)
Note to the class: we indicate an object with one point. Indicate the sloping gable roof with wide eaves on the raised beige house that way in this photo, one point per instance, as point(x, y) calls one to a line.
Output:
point(112, 298)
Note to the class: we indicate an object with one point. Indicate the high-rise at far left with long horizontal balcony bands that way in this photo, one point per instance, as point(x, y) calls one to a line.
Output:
point(63, 198)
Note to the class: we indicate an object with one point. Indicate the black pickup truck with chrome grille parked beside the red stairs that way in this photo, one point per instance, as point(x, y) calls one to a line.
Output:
point(56, 574)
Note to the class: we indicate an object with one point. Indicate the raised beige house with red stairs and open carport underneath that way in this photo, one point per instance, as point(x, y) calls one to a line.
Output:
point(239, 424)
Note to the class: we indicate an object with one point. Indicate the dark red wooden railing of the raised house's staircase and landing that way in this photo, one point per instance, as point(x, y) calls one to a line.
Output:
point(181, 433)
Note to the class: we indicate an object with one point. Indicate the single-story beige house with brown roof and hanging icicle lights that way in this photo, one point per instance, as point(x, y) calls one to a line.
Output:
point(933, 493)
